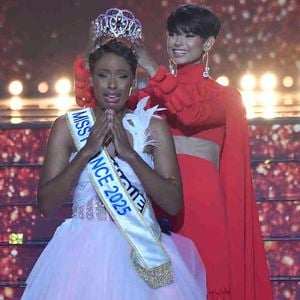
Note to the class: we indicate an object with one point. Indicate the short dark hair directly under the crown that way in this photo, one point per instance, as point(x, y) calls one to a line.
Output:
point(114, 47)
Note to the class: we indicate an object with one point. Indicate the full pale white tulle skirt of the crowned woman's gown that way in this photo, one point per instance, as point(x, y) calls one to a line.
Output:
point(90, 260)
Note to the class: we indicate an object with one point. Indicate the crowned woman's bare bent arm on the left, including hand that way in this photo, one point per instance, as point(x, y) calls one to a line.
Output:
point(59, 176)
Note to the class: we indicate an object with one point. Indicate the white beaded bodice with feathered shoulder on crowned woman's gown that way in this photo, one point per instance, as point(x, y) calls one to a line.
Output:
point(86, 203)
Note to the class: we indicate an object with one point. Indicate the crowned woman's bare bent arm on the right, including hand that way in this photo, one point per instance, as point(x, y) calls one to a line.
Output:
point(164, 183)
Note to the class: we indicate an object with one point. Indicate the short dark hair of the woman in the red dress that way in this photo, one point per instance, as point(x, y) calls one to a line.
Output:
point(192, 18)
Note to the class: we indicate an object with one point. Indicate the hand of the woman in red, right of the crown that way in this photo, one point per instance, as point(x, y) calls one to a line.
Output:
point(144, 58)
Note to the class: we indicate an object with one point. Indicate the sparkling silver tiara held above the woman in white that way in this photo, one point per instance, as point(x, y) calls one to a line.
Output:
point(116, 23)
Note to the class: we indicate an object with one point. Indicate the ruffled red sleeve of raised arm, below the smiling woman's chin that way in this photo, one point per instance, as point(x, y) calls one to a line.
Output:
point(194, 105)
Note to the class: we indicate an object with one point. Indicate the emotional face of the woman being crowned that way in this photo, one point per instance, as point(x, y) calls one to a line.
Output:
point(112, 79)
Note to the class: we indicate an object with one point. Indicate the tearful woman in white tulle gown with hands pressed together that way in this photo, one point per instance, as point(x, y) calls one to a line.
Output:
point(89, 257)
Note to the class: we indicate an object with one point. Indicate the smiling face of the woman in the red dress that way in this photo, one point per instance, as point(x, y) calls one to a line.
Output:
point(185, 48)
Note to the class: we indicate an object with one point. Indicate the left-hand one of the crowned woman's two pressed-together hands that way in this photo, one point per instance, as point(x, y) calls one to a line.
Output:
point(98, 136)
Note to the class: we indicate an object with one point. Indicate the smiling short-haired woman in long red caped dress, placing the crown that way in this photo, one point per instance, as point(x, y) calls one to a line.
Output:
point(211, 135)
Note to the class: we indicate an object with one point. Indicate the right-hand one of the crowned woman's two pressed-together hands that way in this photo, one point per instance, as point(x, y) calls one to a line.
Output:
point(120, 138)
